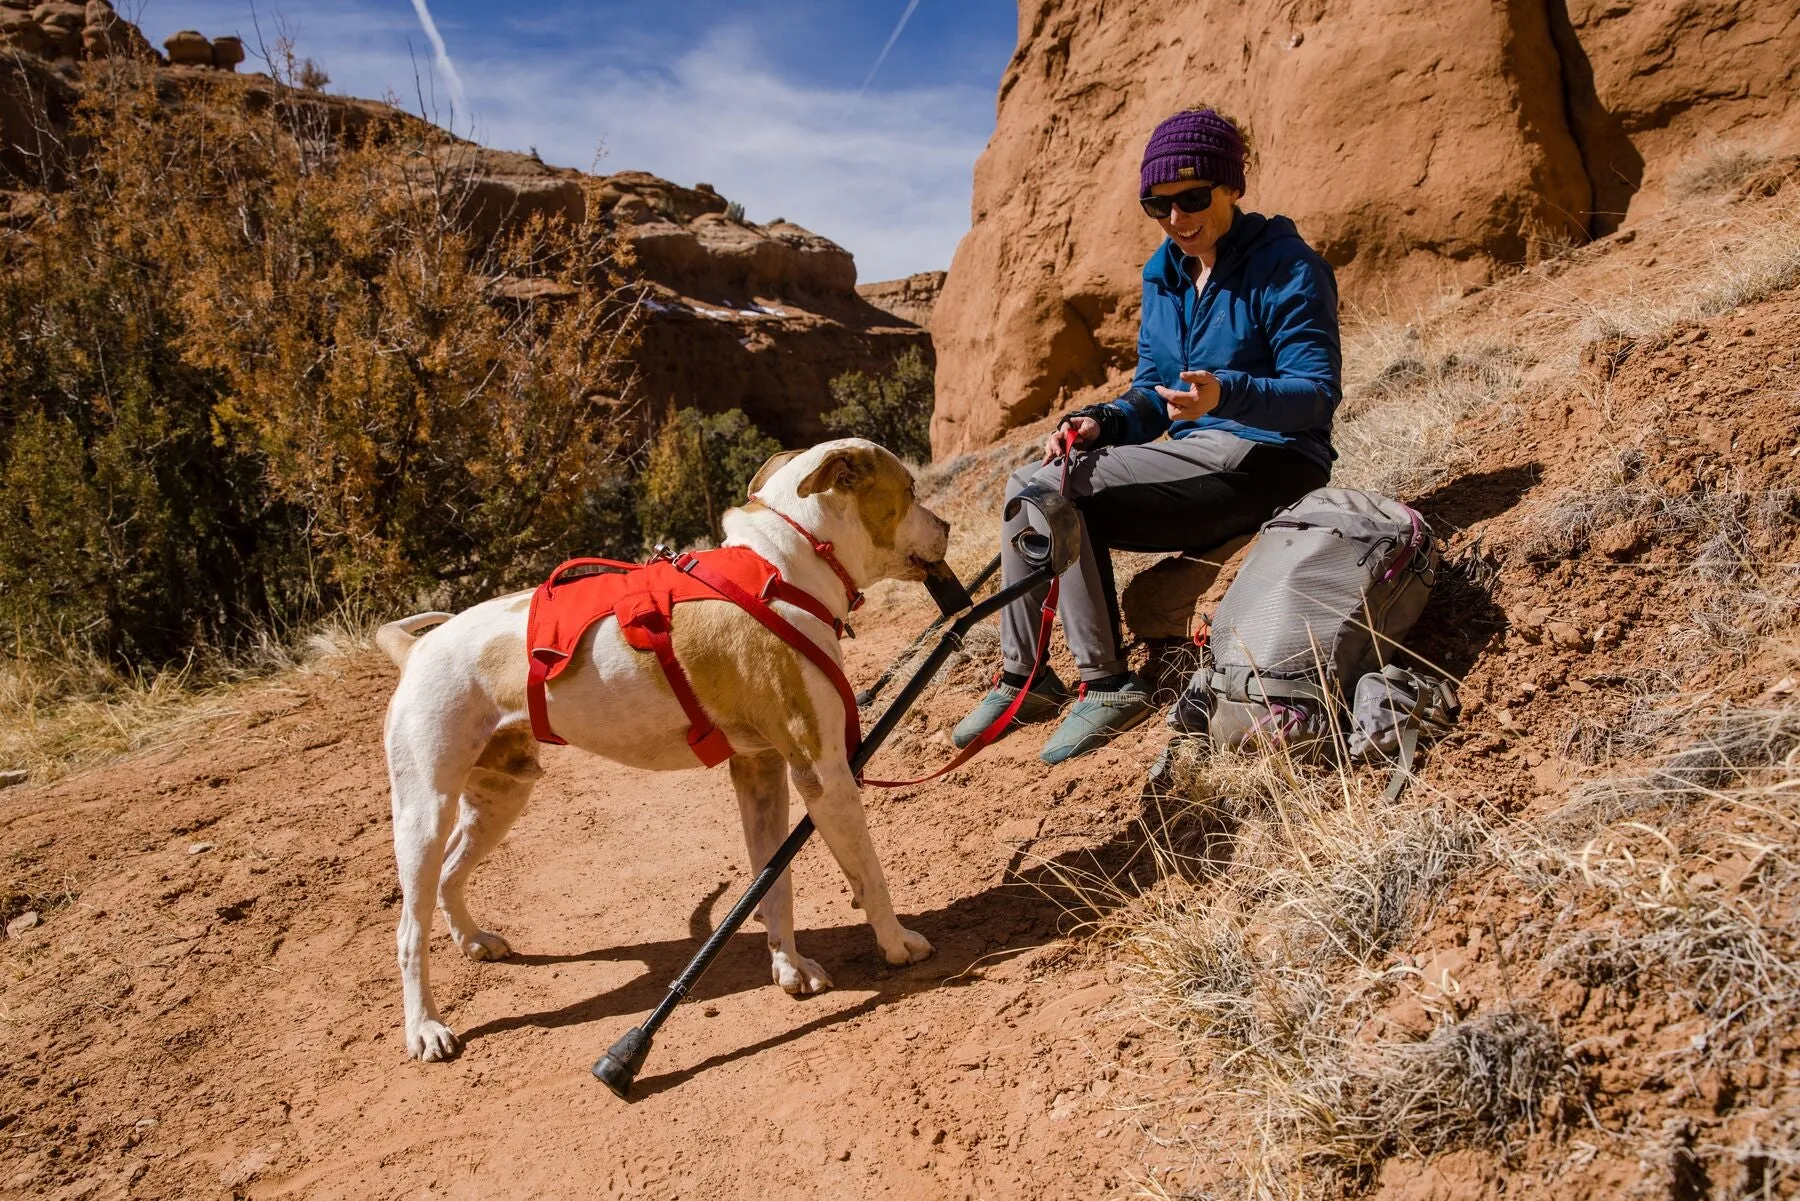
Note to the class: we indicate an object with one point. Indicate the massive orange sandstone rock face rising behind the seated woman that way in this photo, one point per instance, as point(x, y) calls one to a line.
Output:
point(1419, 147)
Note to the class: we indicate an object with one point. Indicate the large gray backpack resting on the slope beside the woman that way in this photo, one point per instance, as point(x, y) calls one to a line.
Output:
point(1327, 593)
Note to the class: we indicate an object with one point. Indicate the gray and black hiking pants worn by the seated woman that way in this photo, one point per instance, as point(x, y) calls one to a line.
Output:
point(1165, 496)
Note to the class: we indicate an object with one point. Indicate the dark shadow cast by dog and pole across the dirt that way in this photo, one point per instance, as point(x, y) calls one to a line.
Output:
point(1030, 907)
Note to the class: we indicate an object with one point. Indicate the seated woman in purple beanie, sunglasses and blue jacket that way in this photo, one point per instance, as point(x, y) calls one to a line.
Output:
point(1239, 365)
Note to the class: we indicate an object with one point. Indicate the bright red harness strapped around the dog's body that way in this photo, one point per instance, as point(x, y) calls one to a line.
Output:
point(643, 597)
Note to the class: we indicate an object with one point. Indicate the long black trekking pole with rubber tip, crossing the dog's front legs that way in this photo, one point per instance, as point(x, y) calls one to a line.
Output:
point(1050, 555)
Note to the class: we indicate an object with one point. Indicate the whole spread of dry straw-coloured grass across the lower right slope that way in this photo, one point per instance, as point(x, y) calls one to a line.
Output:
point(1270, 948)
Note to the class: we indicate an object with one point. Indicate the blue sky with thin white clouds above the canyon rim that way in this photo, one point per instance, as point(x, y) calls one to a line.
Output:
point(757, 98)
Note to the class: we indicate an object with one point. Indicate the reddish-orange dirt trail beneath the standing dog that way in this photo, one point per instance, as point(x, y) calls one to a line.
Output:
point(215, 1011)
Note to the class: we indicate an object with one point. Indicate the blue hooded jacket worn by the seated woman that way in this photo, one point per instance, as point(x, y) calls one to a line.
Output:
point(1266, 325)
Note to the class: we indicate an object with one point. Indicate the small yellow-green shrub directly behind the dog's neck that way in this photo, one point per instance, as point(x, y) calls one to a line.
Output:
point(696, 469)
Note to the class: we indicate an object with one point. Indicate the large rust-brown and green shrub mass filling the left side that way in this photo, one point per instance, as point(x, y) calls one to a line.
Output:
point(251, 372)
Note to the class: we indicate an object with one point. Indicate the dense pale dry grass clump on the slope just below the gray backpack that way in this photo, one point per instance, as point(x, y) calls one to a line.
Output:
point(1273, 957)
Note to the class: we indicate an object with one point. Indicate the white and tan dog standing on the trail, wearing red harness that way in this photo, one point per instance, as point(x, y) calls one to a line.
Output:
point(462, 757)
